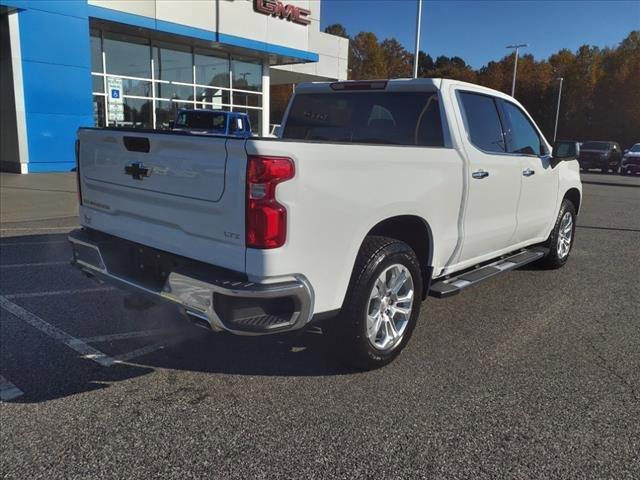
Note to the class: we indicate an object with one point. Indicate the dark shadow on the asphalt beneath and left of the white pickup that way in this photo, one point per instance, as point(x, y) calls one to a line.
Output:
point(43, 368)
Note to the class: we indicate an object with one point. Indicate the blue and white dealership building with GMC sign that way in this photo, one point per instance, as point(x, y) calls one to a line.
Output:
point(133, 63)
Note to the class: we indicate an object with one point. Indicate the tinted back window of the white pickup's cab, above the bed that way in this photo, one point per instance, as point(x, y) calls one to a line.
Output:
point(392, 118)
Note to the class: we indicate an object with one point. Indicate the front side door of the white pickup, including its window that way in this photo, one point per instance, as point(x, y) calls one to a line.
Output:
point(539, 191)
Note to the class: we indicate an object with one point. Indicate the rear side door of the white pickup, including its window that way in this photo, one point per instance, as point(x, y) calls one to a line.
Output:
point(493, 179)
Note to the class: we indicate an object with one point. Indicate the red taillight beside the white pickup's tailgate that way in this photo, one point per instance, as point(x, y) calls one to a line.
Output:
point(266, 218)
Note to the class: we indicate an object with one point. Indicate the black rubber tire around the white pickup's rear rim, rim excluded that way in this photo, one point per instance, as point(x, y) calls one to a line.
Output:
point(347, 331)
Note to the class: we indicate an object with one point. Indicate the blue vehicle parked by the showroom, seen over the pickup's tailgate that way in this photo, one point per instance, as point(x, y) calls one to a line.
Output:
point(212, 122)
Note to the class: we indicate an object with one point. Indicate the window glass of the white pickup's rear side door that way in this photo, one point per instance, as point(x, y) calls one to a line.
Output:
point(483, 122)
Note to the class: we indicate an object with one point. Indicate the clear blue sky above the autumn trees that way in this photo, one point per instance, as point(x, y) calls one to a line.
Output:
point(478, 31)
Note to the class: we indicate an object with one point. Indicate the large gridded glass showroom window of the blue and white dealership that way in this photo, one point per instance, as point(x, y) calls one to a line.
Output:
point(159, 78)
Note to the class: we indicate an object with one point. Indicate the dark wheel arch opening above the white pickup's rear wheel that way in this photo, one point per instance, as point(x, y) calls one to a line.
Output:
point(416, 232)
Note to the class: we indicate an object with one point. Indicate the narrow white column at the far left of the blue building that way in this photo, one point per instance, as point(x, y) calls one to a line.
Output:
point(18, 90)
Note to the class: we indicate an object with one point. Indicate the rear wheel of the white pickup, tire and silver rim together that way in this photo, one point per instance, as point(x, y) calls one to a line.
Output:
point(382, 304)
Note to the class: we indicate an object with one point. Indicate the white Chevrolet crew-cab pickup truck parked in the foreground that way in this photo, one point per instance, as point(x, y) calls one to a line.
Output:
point(376, 195)
